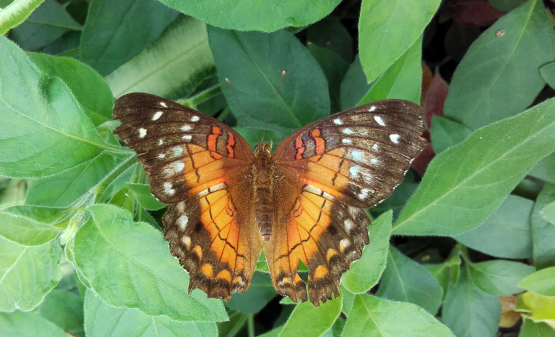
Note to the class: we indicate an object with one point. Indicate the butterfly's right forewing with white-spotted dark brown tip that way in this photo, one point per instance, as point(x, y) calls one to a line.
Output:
point(359, 155)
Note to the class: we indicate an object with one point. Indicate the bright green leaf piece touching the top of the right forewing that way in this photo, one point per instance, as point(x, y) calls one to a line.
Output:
point(402, 80)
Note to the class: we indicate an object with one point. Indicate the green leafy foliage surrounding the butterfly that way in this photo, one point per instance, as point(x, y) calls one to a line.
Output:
point(464, 247)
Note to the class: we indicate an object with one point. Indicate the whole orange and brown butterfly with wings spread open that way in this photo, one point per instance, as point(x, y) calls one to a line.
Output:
point(303, 202)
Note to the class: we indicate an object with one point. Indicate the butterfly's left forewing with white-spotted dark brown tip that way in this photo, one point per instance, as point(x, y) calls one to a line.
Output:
point(183, 151)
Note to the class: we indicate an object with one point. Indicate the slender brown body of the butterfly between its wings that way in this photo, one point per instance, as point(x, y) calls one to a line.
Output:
point(263, 173)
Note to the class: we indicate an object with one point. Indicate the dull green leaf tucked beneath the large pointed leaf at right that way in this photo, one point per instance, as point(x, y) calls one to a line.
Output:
point(511, 223)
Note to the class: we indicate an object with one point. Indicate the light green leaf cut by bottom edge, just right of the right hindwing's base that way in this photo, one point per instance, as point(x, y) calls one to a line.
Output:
point(375, 317)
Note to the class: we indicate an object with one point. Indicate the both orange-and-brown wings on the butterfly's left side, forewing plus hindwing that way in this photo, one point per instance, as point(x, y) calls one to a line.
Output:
point(199, 166)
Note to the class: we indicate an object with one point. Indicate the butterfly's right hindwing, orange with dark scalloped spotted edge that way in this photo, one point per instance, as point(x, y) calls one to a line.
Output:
point(316, 228)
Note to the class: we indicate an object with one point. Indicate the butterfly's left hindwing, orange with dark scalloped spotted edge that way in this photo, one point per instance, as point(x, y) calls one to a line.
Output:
point(214, 236)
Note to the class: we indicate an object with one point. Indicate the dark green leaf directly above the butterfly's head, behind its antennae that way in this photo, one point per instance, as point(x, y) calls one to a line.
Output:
point(261, 58)
